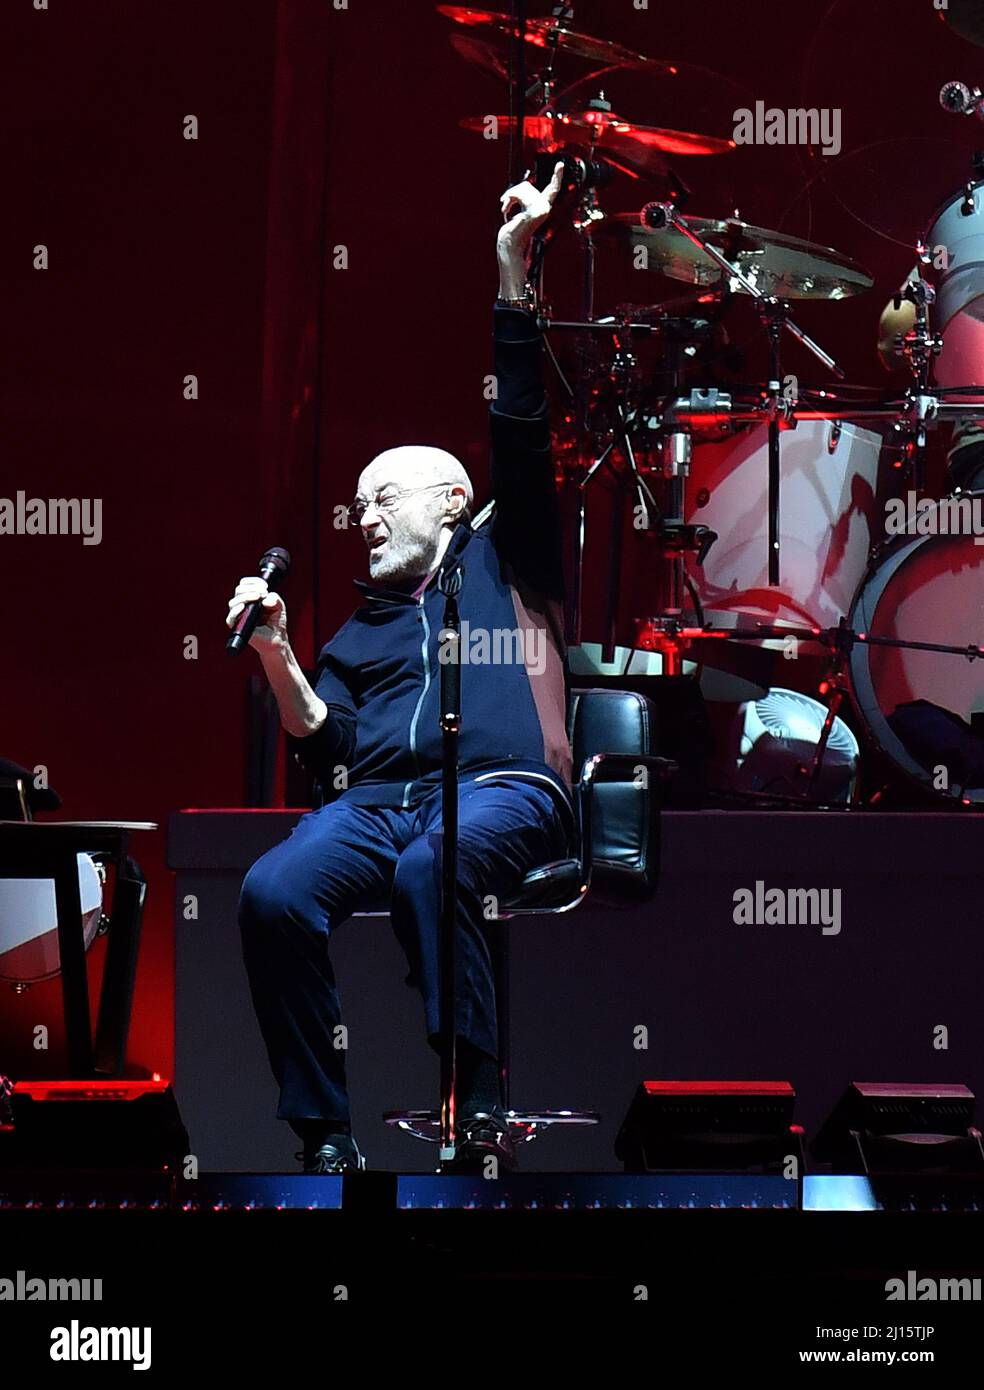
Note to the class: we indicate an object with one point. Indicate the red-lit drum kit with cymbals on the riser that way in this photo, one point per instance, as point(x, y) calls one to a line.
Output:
point(765, 504)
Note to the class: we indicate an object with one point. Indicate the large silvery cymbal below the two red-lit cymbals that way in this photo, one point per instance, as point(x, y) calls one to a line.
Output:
point(778, 265)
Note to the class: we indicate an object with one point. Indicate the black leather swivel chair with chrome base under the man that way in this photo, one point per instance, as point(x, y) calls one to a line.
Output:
point(616, 858)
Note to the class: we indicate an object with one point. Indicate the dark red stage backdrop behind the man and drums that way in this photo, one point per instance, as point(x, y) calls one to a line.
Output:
point(322, 129)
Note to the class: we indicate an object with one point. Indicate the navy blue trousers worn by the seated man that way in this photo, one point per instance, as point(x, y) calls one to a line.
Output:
point(347, 858)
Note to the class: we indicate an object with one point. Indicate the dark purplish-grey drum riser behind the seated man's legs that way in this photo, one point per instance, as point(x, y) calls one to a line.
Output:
point(715, 999)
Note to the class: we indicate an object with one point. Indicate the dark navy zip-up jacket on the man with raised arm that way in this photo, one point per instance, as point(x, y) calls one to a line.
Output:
point(380, 675)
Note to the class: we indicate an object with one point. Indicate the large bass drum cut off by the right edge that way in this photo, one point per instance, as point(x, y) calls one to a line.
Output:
point(926, 710)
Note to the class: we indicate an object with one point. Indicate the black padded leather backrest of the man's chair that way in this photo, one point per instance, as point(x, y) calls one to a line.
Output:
point(625, 812)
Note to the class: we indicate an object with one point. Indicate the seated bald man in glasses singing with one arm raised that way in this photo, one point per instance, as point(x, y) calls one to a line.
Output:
point(370, 726)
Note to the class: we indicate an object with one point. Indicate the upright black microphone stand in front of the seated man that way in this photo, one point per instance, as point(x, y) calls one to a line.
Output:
point(450, 583)
